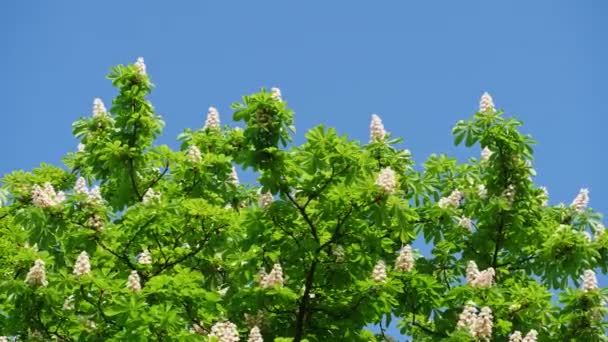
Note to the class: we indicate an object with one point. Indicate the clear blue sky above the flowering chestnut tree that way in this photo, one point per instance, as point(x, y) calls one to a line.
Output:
point(421, 65)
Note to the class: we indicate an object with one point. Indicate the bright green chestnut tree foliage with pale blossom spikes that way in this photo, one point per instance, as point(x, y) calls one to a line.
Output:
point(201, 244)
